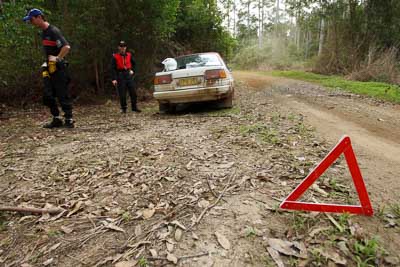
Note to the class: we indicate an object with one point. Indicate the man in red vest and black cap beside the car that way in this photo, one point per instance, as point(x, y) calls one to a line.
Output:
point(123, 68)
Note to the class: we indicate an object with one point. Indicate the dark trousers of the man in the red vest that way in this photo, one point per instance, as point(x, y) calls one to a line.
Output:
point(126, 84)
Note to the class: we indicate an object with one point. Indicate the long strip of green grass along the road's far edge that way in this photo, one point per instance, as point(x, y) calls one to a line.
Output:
point(378, 90)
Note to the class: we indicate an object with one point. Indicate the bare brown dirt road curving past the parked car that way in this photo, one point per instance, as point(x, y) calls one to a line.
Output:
point(373, 126)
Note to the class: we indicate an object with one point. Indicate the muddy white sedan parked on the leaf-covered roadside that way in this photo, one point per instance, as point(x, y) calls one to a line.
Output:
point(193, 78)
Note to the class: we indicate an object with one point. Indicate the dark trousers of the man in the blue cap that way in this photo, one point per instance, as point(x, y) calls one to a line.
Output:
point(56, 87)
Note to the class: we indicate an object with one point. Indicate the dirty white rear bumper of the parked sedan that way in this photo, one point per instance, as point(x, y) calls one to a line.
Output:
point(194, 95)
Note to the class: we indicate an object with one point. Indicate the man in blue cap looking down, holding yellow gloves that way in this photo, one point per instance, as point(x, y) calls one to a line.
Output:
point(54, 71)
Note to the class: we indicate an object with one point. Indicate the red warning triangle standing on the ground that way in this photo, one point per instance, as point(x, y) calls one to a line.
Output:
point(344, 146)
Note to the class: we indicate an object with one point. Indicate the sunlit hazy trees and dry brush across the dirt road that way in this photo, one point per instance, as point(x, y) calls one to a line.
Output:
point(359, 38)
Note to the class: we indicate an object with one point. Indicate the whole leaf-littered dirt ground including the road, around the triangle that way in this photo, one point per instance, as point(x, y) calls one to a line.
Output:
point(201, 187)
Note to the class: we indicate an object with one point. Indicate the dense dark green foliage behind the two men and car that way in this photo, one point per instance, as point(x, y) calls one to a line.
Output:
point(153, 29)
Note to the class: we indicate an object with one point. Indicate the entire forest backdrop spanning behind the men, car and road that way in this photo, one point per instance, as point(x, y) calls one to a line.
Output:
point(355, 38)
